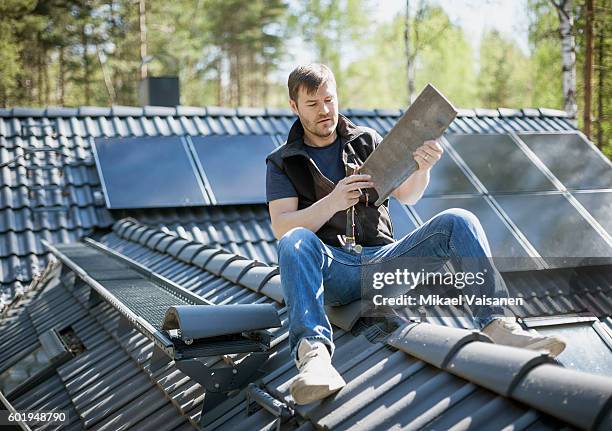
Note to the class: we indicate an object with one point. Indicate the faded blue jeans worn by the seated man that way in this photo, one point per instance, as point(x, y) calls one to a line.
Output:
point(314, 274)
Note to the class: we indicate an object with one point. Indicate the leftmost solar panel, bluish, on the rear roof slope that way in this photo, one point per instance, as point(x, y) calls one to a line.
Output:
point(147, 172)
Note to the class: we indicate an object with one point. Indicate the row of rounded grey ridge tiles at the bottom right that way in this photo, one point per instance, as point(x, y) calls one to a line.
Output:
point(511, 372)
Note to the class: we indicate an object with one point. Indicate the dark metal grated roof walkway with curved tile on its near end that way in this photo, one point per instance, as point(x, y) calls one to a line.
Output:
point(183, 326)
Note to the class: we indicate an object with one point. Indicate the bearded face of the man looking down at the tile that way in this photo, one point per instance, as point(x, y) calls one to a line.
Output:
point(318, 112)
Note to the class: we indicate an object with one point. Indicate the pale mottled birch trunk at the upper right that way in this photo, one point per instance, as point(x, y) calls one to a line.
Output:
point(568, 55)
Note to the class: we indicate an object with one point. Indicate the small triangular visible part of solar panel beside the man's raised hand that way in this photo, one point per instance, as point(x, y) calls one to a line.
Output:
point(447, 178)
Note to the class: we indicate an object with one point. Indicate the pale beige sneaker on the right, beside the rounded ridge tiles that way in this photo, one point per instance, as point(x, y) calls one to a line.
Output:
point(506, 331)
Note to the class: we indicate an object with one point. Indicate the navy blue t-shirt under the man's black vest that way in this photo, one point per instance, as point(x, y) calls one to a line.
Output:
point(328, 159)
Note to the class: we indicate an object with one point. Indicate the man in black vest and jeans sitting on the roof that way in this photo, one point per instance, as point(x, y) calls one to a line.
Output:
point(311, 182)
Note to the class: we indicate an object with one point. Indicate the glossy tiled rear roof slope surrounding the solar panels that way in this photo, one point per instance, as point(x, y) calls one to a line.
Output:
point(56, 195)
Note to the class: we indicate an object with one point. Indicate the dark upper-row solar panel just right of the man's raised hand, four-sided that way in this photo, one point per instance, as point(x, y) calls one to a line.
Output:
point(499, 163)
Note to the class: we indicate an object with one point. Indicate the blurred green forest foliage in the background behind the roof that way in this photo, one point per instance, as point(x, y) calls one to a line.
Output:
point(230, 52)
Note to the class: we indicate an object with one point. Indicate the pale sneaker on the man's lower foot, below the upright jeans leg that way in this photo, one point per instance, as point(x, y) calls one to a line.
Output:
point(317, 378)
